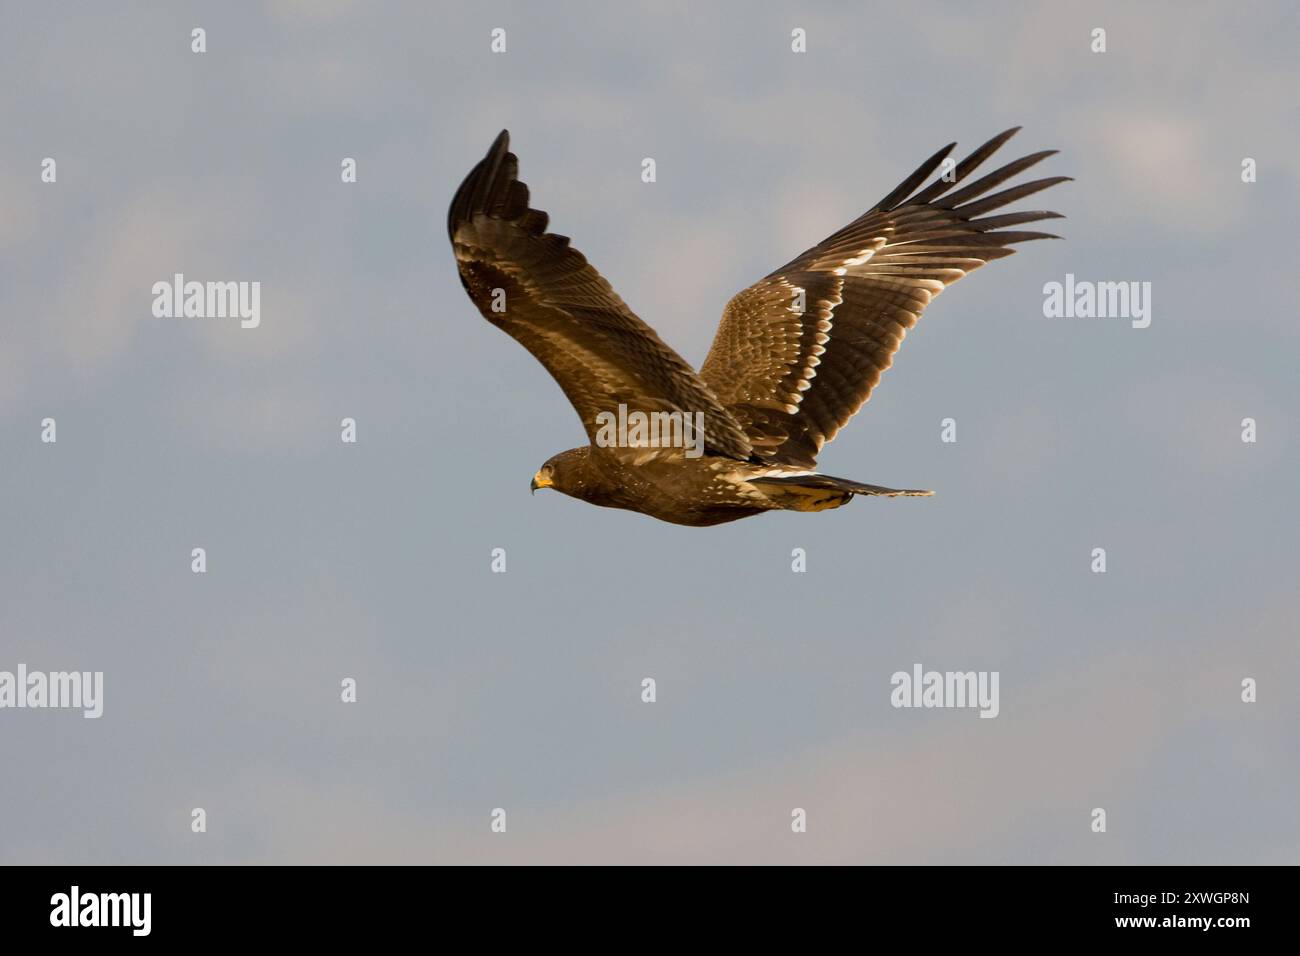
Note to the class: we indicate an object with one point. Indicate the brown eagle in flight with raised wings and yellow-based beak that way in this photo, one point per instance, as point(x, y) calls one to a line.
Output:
point(796, 354)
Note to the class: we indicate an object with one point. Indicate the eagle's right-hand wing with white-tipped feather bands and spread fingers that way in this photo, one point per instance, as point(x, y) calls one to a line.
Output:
point(795, 378)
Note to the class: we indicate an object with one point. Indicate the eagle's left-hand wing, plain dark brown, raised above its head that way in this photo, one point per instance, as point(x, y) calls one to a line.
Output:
point(558, 308)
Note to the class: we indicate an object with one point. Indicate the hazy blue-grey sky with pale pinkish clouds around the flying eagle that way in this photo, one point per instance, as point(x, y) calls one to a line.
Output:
point(372, 561)
